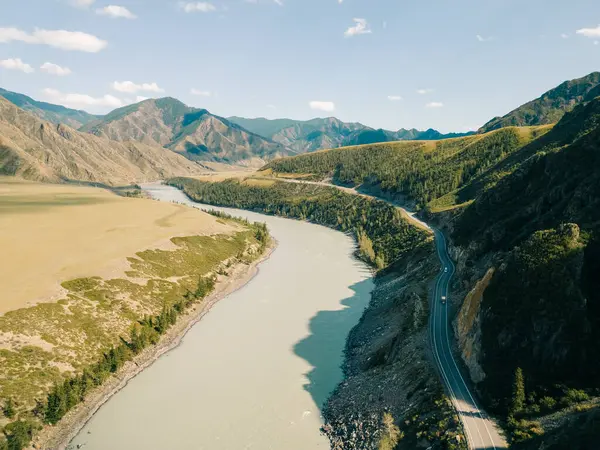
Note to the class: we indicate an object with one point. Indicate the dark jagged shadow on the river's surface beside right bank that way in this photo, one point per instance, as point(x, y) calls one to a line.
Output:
point(327, 340)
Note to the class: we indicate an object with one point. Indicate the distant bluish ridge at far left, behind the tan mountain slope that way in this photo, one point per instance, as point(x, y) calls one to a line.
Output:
point(47, 111)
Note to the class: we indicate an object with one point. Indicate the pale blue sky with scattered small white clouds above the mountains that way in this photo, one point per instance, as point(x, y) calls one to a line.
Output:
point(448, 65)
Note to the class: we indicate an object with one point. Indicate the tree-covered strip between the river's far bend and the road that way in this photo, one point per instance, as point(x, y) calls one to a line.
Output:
point(381, 232)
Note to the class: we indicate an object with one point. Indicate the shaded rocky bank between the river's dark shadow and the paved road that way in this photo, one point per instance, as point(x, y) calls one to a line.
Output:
point(390, 376)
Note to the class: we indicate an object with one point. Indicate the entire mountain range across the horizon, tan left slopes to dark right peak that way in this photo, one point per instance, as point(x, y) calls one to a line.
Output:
point(147, 135)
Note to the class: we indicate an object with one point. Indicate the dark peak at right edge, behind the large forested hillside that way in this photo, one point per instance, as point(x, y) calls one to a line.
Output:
point(551, 106)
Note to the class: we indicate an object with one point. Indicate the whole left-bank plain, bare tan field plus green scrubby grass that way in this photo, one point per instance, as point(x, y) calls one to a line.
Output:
point(81, 266)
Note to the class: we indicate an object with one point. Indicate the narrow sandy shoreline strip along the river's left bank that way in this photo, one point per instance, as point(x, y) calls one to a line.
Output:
point(59, 436)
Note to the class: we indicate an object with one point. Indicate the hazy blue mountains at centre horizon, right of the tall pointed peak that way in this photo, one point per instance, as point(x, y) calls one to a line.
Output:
point(317, 134)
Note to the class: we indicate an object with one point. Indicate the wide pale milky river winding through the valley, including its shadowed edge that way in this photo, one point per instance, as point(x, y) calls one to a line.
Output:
point(254, 372)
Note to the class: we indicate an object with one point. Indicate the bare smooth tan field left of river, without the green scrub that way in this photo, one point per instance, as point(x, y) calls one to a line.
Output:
point(53, 233)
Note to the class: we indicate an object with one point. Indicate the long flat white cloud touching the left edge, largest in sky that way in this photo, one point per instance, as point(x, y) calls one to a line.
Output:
point(65, 40)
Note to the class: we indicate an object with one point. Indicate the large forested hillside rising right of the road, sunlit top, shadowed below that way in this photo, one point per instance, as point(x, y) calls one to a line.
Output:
point(530, 202)
